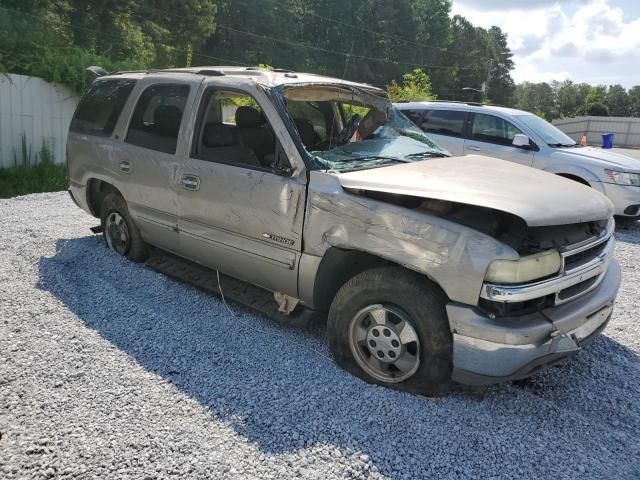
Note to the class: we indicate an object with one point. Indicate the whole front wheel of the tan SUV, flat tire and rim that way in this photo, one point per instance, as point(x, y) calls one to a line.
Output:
point(389, 327)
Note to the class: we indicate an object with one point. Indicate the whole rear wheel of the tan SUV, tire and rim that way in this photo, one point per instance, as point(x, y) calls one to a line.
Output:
point(120, 231)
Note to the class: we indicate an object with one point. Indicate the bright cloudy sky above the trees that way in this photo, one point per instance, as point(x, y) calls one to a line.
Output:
point(593, 41)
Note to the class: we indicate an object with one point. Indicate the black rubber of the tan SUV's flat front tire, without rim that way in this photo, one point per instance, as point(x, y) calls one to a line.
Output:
point(422, 303)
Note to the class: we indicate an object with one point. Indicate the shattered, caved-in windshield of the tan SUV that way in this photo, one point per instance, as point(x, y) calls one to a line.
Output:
point(346, 128)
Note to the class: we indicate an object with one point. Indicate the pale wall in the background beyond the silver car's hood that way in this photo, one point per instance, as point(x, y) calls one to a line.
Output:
point(626, 130)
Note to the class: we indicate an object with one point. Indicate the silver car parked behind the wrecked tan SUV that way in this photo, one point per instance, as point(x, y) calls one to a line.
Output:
point(524, 138)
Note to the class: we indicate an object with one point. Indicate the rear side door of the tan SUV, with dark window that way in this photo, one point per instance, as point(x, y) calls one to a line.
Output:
point(146, 161)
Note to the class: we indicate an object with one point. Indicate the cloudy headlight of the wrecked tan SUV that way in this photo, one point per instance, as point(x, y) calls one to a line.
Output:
point(525, 269)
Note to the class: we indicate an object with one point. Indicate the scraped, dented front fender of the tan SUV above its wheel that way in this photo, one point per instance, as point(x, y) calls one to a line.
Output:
point(452, 255)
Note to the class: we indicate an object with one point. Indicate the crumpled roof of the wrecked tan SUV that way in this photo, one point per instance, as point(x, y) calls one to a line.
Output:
point(259, 75)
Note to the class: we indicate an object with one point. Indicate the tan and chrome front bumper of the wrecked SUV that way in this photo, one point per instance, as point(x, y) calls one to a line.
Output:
point(490, 350)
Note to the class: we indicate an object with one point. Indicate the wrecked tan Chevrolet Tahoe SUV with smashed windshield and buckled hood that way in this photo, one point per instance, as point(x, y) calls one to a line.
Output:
point(430, 268)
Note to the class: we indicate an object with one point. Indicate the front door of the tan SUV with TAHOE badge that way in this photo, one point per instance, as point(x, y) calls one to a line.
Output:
point(236, 214)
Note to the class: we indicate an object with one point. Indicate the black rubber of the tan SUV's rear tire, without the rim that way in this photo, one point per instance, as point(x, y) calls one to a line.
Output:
point(135, 248)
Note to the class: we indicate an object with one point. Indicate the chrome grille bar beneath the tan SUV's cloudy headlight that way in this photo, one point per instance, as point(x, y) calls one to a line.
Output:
point(522, 293)
